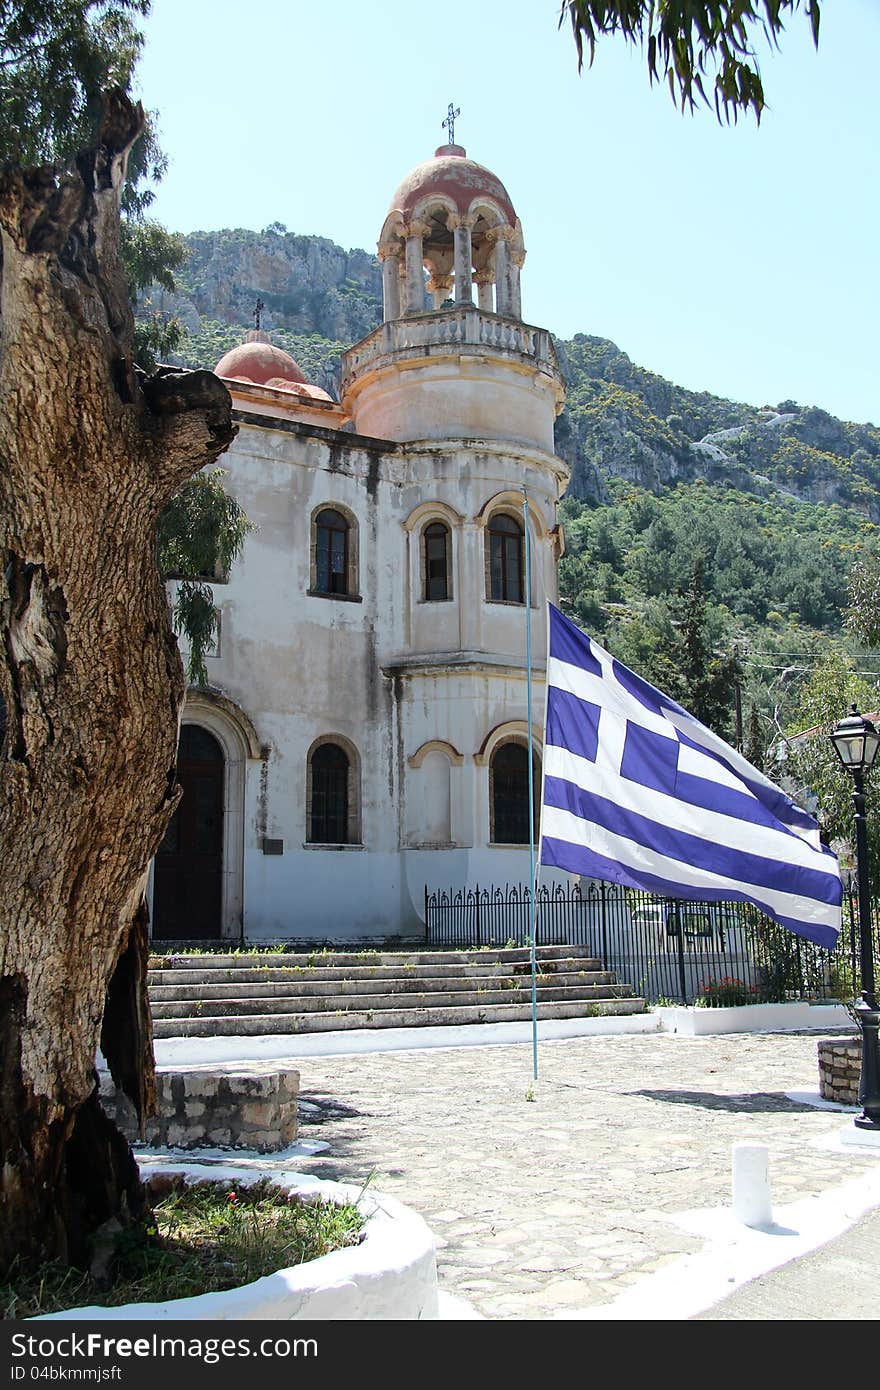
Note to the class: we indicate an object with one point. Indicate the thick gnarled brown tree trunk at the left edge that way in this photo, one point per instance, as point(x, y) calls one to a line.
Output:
point(92, 686)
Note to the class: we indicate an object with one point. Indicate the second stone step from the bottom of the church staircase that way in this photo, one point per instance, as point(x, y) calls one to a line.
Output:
point(359, 1003)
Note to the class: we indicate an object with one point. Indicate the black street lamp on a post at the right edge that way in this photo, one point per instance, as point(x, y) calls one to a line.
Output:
point(856, 743)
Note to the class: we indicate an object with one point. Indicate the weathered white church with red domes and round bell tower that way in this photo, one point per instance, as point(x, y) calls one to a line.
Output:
point(364, 735)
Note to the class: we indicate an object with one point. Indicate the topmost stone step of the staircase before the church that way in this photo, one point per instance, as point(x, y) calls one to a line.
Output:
point(347, 960)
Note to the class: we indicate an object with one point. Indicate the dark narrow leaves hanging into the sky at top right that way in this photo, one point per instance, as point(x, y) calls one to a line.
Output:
point(704, 49)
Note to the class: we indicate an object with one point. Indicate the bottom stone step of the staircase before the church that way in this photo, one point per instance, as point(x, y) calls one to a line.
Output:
point(327, 1022)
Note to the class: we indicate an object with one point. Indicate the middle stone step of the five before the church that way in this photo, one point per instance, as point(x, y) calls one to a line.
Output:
point(391, 982)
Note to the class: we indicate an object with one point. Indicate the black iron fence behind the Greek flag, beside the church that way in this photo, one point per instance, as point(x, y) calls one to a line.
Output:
point(664, 949)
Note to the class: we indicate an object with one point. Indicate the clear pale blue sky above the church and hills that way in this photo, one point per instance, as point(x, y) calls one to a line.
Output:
point(740, 261)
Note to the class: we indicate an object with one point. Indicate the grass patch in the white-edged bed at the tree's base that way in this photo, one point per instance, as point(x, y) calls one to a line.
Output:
point(201, 1239)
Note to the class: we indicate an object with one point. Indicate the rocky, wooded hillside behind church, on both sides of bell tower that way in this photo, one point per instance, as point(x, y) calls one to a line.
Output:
point(708, 541)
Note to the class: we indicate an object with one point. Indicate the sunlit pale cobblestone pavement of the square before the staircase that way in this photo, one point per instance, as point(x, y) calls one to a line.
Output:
point(561, 1196)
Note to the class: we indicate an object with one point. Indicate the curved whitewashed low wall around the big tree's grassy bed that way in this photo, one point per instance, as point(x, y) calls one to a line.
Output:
point(390, 1275)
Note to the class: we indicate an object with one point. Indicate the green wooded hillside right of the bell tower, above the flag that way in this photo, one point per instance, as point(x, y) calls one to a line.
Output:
point(708, 543)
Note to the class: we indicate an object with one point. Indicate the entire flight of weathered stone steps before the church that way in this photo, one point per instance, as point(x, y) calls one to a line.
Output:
point(213, 996)
